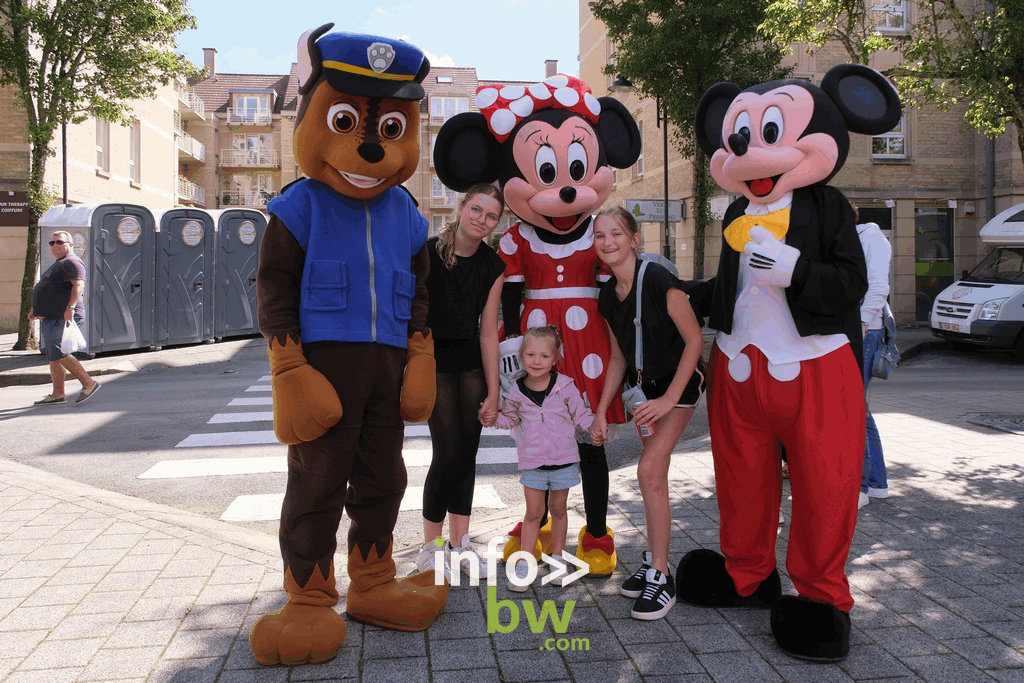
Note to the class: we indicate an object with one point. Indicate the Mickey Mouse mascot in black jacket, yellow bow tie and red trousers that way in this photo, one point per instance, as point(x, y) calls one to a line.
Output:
point(786, 363)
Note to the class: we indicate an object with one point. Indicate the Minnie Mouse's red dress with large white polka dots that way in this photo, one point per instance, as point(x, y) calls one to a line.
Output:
point(562, 287)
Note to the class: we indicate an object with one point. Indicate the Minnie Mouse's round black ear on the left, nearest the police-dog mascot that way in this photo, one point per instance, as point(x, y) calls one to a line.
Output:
point(466, 153)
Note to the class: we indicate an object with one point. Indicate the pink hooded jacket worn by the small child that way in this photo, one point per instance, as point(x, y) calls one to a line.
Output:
point(546, 435)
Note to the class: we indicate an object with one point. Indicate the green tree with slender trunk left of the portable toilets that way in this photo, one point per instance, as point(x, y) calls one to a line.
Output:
point(70, 60)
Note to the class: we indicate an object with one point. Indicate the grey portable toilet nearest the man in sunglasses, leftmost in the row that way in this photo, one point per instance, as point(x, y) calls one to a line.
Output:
point(117, 243)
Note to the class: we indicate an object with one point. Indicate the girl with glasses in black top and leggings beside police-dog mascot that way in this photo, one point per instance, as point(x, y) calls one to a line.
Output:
point(465, 285)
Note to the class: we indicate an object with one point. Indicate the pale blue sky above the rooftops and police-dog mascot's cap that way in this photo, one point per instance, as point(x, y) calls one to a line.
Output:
point(503, 39)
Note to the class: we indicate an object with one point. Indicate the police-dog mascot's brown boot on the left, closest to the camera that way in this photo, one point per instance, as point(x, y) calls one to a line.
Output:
point(306, 630)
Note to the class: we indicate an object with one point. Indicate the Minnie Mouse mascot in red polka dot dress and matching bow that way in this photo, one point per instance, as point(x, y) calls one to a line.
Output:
point(550, 147)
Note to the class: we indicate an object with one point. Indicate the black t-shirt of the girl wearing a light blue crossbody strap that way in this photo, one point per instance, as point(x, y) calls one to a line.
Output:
point(663, 346)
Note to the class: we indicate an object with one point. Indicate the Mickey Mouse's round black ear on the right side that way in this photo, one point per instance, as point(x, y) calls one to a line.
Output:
point(868, 101)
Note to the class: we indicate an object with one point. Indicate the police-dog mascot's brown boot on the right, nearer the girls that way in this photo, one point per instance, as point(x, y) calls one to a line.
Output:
point(375, 597)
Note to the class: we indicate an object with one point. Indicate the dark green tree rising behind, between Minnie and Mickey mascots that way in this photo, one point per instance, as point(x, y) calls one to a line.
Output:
point(676, 50)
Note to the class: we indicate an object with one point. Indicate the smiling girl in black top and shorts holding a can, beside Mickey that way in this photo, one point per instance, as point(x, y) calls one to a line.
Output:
point(673, 383)
